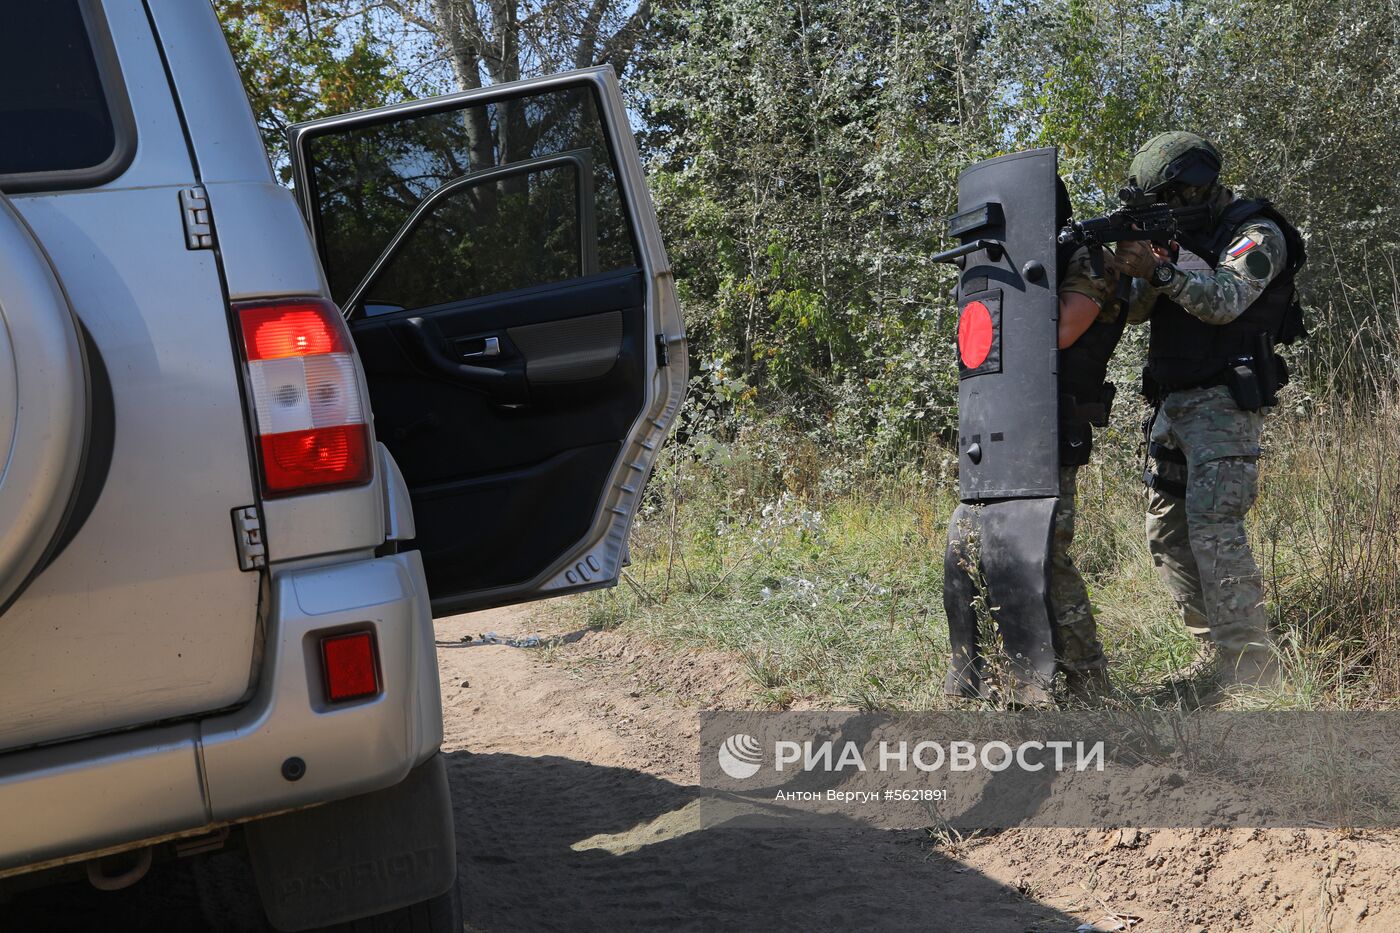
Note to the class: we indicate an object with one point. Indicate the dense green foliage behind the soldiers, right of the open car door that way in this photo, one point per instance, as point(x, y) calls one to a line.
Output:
point(801, 163)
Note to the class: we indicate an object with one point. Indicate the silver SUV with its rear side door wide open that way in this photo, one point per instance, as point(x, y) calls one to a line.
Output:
point(253, 443)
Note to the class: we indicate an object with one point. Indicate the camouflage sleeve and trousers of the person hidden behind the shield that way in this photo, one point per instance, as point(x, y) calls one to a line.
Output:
point(1077, 634)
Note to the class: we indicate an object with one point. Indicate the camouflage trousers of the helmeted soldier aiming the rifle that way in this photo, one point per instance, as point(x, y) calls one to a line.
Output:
point(1198, 541)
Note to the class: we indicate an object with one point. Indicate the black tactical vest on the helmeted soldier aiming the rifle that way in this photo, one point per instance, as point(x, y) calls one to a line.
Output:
point(1185, 352)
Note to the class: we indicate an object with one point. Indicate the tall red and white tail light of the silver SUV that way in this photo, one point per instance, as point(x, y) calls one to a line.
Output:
point(311, 427)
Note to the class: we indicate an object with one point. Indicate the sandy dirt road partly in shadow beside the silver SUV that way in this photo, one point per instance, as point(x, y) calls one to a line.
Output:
point(575, 774)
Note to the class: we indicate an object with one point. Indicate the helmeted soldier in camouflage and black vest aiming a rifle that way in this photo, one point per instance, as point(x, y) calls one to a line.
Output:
point(1216, 310)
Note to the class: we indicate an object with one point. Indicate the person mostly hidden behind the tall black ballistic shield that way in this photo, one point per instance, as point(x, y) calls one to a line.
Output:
point(1088, 333)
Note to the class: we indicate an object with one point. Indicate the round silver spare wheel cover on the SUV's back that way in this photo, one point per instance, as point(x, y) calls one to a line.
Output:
point(44, 406)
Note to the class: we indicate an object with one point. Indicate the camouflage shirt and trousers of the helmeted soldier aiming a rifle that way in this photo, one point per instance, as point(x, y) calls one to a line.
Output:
point(1199, 543)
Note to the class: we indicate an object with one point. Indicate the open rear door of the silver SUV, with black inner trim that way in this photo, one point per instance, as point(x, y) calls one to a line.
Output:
point(499, 261)
